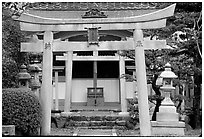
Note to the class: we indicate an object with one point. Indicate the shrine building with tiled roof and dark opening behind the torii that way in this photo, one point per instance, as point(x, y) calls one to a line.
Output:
point(92, 69)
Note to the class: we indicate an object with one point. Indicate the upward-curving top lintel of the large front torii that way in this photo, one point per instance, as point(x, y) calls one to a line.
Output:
point(155, 19)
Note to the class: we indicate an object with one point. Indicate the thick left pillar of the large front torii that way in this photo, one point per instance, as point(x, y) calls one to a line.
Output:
point(46, 94)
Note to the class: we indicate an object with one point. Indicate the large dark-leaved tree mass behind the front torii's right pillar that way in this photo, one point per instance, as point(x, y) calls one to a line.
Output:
point(186, 56)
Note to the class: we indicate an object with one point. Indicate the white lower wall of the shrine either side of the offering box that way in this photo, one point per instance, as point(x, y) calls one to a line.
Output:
point(79, 89)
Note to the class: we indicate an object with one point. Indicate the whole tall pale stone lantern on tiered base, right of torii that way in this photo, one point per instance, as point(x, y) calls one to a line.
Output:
point(167, 118)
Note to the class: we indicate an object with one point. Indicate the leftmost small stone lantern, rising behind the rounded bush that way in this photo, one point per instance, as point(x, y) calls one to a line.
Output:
point(24, 77)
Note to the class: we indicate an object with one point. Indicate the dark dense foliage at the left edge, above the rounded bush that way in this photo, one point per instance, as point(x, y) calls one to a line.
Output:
point(12, 58)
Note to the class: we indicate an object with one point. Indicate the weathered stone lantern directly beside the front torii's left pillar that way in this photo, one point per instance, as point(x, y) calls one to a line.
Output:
point(35, 82)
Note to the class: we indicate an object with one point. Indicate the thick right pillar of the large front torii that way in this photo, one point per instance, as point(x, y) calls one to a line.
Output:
point(145, 127)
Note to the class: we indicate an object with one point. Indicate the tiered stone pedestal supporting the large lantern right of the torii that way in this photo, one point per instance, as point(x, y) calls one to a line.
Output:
point(167, 123)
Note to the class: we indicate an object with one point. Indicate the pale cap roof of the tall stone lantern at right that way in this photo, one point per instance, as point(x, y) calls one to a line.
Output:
point(167, 73)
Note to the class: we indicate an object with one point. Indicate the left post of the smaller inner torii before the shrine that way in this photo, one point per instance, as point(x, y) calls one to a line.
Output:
point(68, 82)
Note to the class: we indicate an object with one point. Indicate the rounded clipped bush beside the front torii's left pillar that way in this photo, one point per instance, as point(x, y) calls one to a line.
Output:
point(20, 107)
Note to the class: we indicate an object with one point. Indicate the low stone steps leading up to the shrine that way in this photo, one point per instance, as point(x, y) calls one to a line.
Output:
point(95, 119)
